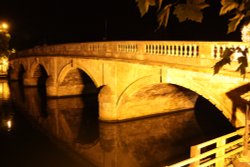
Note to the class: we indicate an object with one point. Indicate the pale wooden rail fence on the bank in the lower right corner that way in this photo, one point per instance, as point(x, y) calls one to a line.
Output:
point(222, 150)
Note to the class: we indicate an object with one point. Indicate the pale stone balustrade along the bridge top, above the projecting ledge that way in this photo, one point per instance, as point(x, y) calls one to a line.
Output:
point(201, 49)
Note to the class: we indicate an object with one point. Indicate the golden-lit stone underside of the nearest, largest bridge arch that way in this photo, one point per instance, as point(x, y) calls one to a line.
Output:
point(148, 95)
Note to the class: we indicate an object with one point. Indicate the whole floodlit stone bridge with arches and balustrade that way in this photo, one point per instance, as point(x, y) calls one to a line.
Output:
point(137, 78)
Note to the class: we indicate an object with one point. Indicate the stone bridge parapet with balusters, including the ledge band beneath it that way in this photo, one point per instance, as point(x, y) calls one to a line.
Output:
point(202, 55)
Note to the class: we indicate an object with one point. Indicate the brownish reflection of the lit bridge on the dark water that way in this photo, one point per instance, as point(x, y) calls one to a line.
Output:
point(73, 122)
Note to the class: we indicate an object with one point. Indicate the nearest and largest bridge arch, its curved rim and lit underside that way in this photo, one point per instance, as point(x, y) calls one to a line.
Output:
point(193, 89)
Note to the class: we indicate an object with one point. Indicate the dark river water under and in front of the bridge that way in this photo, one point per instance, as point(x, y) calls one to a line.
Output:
point(66, 132)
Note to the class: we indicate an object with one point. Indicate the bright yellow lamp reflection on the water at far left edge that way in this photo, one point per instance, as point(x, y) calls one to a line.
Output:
point(6, 115)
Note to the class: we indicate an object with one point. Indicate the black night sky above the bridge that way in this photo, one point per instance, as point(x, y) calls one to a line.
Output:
point(35, 22)
